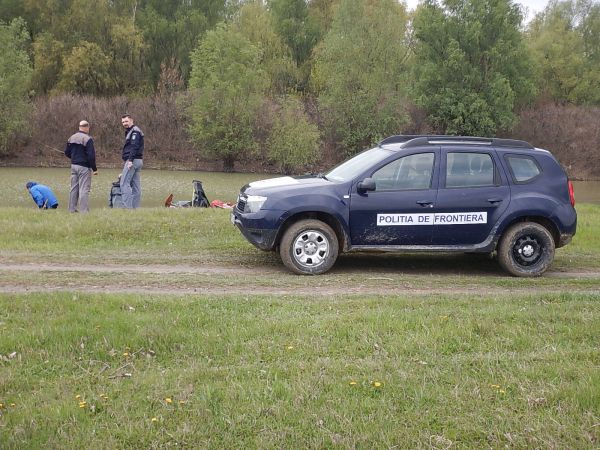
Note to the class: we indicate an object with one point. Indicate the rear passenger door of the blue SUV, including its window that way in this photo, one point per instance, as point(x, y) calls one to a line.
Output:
point(473, 195)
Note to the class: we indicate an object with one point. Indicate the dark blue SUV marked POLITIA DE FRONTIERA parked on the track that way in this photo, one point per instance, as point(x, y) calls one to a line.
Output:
point(418, 194)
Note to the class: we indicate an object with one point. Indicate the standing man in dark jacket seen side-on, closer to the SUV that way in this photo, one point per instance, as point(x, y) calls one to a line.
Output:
point(133, 153)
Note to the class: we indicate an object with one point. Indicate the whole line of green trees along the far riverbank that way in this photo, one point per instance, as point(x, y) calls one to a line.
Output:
point(293, 80)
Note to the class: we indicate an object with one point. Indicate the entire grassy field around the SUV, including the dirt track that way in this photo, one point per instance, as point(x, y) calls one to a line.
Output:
point(409, 351)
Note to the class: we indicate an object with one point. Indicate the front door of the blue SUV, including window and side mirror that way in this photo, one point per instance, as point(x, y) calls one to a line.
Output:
point(397, 212)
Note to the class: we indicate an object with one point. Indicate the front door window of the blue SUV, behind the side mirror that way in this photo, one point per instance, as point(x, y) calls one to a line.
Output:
point(408, 172)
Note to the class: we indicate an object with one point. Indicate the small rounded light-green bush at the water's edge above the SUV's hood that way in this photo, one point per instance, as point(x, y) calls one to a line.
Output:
point(294, 139)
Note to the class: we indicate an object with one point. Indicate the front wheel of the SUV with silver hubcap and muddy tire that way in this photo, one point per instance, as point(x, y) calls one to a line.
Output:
point(309, 247)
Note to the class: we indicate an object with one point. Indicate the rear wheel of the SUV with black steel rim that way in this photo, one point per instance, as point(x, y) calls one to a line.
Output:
point(526, 250)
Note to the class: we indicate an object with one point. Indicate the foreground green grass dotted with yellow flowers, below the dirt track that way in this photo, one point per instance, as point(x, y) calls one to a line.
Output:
point(265, 372)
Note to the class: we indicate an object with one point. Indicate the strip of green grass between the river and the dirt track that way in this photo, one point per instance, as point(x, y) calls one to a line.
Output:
point(205, 236)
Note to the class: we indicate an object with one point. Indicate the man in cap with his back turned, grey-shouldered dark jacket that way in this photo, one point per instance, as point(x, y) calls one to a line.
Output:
point(80, 148)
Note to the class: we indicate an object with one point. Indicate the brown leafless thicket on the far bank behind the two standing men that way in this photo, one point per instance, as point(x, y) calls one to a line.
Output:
point(54, 119)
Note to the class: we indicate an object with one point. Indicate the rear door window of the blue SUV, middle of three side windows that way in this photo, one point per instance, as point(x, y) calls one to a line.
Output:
point(469, 170)
